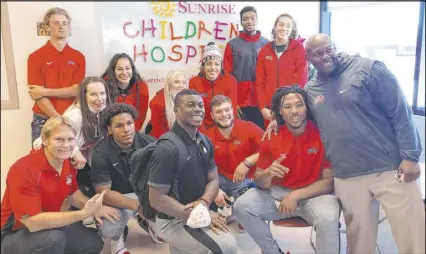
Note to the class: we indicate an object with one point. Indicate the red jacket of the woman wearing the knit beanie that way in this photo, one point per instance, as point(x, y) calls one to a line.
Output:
point(225, 84)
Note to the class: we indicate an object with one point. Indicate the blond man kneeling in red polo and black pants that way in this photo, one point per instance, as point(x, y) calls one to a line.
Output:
point(38, 187)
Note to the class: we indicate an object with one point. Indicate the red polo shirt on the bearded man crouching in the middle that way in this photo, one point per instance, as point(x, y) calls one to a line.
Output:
point(244, 141)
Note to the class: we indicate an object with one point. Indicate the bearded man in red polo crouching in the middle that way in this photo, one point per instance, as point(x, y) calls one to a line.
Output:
point(236, 144)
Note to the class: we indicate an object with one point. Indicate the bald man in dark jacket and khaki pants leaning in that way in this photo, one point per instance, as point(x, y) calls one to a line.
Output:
point(372, 143)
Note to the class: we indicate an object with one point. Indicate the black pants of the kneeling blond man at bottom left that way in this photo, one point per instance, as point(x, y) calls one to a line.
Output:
point(74, 238)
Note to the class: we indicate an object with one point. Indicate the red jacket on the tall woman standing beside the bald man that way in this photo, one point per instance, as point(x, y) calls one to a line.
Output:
point(271, 72)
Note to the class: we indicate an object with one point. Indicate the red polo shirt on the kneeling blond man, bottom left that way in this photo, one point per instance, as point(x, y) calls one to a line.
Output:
point(33, 186)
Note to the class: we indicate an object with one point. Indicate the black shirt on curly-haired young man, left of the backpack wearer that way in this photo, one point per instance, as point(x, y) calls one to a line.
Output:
point(110, 165)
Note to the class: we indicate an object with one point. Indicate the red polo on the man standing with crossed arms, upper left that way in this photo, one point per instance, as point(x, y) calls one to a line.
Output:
point(55, 69)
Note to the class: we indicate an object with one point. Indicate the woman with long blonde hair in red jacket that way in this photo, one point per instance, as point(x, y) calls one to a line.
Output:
point(162, 104)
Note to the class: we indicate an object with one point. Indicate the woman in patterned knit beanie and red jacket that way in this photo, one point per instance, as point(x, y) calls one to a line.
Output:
point(213, 80)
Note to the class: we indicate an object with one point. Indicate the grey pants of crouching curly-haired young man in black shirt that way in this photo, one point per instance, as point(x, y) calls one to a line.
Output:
point(113, 231)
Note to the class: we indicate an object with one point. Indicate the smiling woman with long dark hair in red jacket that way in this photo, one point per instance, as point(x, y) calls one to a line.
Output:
point(126, 85)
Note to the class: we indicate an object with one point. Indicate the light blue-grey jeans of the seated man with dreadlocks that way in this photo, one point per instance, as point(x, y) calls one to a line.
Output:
point(257, 206)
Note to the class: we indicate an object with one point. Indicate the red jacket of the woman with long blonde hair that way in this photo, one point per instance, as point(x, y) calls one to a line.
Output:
point(158, 115)
